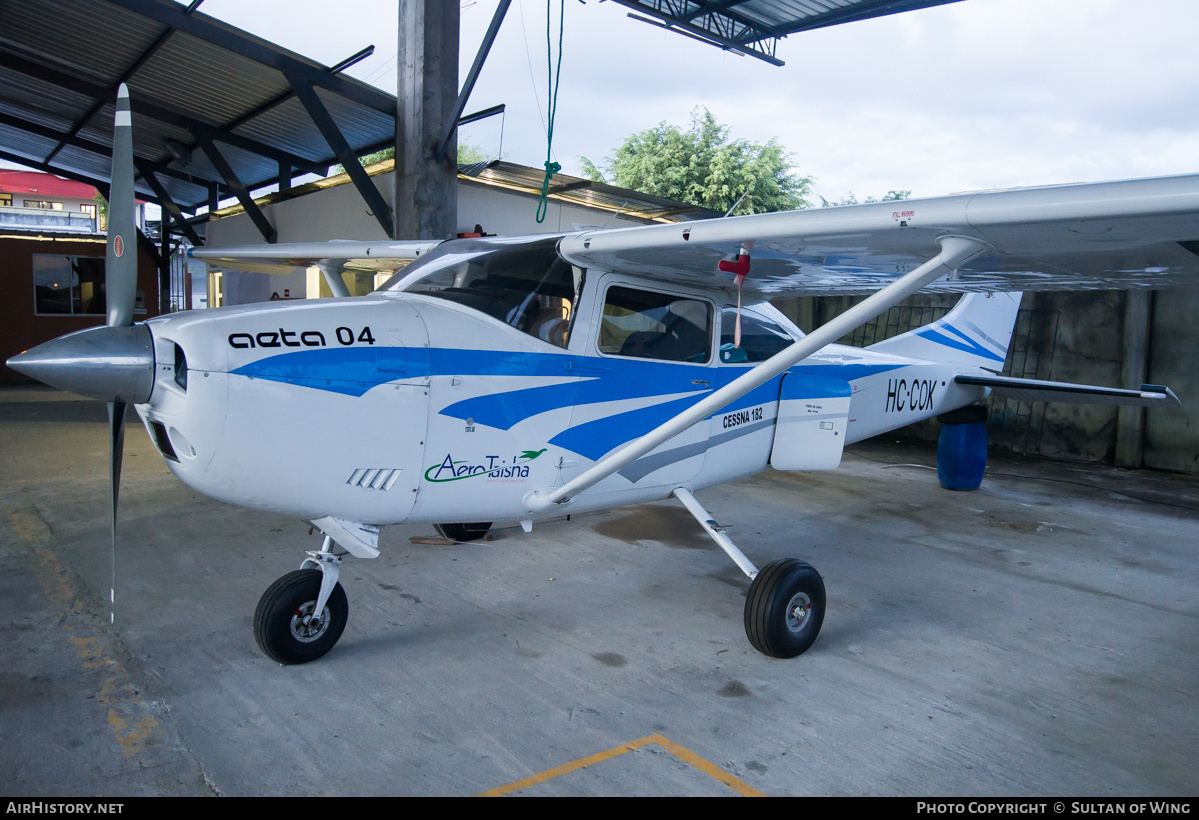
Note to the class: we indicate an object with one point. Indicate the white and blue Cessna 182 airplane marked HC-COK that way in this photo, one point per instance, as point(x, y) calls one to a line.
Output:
point(525, 378)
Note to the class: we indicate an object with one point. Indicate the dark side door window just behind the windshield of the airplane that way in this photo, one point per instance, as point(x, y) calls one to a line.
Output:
point(646, 325)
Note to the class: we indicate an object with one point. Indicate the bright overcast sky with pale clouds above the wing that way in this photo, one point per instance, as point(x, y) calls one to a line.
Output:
point(974, 95)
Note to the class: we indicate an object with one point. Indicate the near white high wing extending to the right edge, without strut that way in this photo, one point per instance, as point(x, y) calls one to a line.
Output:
point(1094, 237)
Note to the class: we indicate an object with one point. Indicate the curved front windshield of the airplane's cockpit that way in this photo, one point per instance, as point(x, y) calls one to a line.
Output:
point(525, 284)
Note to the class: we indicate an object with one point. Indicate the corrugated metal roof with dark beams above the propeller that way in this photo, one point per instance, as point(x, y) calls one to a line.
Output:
point(189, 75)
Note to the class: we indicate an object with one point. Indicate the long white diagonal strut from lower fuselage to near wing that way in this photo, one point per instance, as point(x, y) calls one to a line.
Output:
point(956, 251)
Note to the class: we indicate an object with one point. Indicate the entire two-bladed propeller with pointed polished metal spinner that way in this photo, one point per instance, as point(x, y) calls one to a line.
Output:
point(113, 364)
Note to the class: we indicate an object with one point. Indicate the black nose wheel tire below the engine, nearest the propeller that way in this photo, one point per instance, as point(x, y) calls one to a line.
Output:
point(284, 624)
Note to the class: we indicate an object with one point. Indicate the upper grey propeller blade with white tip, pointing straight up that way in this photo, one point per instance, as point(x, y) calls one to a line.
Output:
point(122, 261)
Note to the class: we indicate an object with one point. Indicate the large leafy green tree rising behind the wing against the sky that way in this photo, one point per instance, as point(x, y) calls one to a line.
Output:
point(704, 166)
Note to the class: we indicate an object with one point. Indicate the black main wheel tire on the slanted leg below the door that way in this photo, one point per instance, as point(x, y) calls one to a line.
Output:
point(785, 610)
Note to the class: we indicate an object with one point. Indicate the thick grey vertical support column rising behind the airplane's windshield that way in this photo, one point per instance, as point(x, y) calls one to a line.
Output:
point(427, 87)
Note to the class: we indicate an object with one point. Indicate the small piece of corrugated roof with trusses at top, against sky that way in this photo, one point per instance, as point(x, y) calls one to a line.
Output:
point(755, 27)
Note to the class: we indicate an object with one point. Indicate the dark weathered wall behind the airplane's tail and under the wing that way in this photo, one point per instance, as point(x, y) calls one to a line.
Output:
point(1065, 337)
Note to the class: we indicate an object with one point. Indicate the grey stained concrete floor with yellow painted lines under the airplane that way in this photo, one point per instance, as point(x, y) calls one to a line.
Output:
point(1038, 637)
